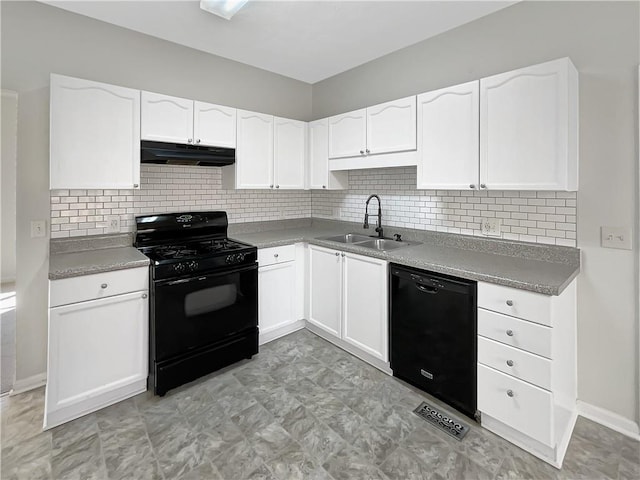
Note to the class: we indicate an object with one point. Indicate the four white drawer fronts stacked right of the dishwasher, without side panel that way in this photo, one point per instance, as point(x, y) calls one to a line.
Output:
point(515, 359)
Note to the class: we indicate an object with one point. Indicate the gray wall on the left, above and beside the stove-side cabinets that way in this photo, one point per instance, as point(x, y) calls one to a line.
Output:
point(38, 39)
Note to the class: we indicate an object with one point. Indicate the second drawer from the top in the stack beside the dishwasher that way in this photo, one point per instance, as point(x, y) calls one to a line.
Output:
point(518, 333)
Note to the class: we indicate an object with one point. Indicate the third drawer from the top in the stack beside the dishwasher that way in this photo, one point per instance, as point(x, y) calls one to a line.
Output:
point(513, 361)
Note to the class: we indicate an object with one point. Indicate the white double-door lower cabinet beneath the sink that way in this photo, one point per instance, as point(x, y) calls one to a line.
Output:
point(348, 299)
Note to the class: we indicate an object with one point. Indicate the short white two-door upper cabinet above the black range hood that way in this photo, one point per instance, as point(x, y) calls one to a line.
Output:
point(180, 120)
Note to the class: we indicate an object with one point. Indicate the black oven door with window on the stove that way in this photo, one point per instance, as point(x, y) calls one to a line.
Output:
point(195, 312)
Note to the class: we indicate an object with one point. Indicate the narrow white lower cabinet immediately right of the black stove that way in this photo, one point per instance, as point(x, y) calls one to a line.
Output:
point(280, 291)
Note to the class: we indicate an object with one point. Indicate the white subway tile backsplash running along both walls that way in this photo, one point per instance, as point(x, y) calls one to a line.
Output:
point(541, 217)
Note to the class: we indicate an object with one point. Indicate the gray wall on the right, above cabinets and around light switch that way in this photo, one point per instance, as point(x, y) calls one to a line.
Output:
point(602, 39)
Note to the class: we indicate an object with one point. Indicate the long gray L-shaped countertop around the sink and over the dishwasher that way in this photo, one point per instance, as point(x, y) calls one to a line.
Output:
point(543, 269)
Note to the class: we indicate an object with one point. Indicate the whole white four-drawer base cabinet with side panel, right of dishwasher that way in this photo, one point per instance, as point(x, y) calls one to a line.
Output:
point(527, 367)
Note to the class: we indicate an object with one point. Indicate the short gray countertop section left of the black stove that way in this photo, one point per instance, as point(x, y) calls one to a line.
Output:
point(93, 255)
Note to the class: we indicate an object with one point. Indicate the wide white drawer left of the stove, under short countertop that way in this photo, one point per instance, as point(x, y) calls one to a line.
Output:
point(97, 285)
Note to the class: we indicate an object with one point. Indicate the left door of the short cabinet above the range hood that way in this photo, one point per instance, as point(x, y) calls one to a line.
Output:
point(166, 119)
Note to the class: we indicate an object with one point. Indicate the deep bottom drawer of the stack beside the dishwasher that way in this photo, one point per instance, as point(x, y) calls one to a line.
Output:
point(518, 404)
